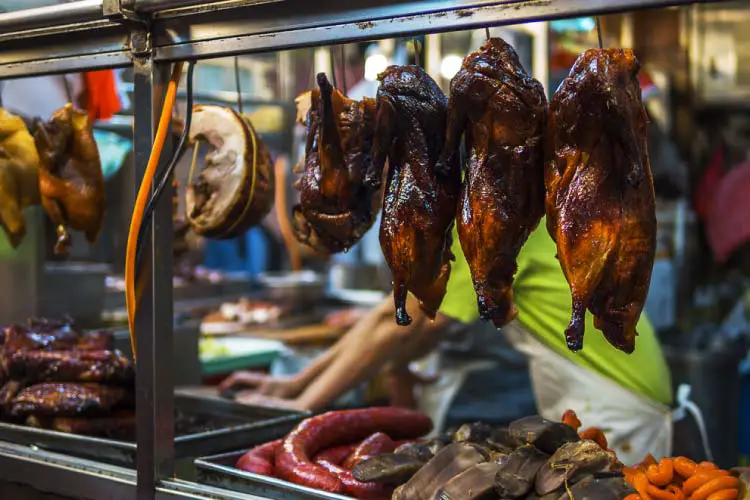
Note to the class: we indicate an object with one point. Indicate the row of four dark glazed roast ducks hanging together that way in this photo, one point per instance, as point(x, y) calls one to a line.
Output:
point(583, 160)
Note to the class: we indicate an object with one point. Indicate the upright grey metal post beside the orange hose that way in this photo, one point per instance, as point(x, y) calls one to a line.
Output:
point(154, 320)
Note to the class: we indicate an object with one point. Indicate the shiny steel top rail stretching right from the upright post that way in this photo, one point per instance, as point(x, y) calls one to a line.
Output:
point(264, 27)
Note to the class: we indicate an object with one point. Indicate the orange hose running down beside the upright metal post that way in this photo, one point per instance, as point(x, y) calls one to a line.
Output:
point(143, 197)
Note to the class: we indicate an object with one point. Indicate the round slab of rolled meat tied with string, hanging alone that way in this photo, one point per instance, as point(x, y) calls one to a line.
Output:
point(234, 189)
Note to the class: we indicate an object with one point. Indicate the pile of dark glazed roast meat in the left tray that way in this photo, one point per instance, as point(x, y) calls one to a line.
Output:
point(54, 376)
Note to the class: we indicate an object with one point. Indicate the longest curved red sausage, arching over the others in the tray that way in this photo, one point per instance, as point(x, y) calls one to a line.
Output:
point(293, 458)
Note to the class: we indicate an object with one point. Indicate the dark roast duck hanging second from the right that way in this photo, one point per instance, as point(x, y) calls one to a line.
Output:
point(502, 111)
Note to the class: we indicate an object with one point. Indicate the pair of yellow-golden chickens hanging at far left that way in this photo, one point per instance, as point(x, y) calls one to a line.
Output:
point(54, 163)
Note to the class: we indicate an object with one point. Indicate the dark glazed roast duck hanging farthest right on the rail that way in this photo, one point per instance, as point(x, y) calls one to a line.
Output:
point(600, 196)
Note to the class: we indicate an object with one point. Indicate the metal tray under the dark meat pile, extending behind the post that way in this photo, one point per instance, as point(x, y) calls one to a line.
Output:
point(218, 425)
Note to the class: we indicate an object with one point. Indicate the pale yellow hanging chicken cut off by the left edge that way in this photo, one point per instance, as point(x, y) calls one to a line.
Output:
point(19, 175)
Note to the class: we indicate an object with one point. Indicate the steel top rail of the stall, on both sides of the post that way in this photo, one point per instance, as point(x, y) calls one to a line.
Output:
point(238, 26)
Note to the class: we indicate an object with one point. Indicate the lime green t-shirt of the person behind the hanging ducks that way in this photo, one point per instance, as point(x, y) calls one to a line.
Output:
point(542, 296)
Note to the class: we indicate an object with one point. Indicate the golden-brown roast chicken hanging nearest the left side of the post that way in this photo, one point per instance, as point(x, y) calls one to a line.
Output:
point(71, 183)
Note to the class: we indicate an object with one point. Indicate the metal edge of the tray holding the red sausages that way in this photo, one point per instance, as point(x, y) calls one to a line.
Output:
point(219, 471)
